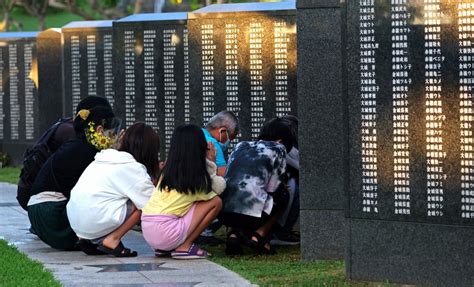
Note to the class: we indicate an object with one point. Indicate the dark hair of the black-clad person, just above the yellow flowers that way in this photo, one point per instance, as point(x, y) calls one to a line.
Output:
point(100, 115)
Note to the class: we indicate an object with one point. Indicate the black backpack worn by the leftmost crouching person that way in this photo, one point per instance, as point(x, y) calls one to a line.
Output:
point(38, 154)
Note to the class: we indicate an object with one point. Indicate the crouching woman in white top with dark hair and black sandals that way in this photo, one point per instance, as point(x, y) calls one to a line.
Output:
point(107, 200)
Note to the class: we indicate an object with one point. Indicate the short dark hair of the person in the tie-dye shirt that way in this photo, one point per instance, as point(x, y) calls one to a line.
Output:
point(277, 129)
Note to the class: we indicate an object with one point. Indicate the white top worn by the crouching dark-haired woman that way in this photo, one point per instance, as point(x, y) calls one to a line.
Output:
point(98, 203)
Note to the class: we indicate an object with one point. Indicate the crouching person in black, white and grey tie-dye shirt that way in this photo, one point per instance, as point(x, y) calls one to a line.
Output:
point(256, 194)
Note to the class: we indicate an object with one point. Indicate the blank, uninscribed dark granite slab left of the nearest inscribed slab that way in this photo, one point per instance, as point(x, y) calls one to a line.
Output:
point(323, 135)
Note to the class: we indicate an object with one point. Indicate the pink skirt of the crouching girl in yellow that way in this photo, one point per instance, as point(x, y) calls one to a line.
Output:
point(166, 232)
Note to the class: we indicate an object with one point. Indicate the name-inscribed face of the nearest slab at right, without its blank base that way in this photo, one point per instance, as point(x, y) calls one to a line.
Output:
point(411, 110)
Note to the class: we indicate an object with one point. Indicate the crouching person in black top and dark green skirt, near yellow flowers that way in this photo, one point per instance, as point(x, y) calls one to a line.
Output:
point(95, 129)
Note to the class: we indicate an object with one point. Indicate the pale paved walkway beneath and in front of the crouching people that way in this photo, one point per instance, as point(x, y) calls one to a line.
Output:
point(78, 269)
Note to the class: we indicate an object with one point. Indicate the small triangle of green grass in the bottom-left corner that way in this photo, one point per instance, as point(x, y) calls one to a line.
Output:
point(16, 269)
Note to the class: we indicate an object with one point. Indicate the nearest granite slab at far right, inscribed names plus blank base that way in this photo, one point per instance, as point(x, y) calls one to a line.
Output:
point(410, 94)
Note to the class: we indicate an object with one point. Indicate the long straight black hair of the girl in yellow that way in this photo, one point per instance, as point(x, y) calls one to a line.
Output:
point(185, 168)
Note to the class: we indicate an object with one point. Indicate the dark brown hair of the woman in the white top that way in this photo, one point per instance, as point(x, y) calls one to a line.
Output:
point(143, 143)
